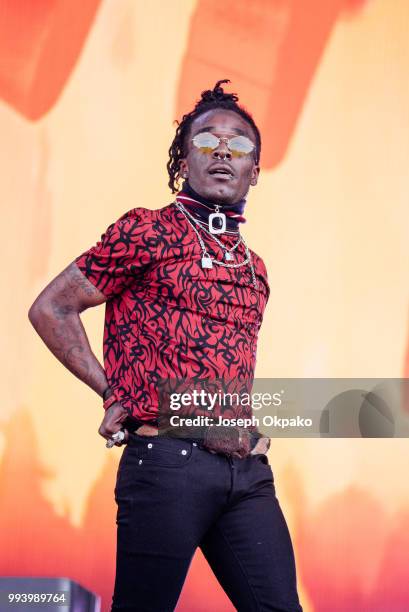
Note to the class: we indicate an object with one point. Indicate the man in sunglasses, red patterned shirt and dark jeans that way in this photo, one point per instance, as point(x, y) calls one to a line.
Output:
point(184, 298)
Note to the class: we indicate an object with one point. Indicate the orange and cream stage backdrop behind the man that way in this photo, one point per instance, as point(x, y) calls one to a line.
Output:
point(88, 93)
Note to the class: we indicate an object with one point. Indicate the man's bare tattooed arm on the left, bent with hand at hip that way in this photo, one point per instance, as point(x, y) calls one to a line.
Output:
point(55, 315)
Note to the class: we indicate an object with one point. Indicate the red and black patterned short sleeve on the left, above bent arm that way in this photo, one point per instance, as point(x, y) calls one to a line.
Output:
point(126, 248)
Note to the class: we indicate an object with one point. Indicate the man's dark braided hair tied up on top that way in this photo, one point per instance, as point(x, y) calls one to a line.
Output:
point(210, 100)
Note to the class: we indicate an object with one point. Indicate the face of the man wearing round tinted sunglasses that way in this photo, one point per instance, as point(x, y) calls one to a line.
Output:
point(201, 168)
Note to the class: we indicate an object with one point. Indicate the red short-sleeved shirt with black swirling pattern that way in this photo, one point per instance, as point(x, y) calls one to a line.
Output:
point(165, 315)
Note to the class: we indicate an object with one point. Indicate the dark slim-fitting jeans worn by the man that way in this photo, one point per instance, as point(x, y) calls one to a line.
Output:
point(174, 496)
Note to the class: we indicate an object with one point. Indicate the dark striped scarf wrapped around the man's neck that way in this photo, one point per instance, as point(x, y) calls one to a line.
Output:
point(202, 207)
